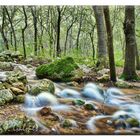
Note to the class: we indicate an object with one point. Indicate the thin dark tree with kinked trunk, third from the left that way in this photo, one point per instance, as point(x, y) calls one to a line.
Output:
point(23, 30)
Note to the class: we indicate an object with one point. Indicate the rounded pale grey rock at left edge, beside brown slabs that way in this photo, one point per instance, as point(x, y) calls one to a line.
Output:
point(6, 96)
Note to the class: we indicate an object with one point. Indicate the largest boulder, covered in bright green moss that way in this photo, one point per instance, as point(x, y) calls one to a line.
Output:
point(62, 69)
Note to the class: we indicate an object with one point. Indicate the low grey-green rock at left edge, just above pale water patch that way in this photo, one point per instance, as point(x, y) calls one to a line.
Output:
point(6, 66)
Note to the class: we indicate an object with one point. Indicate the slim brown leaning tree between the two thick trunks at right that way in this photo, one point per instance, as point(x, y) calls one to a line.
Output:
point(110, 44)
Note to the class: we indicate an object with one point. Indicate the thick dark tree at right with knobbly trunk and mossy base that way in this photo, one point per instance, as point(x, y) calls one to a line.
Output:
point(129, 71)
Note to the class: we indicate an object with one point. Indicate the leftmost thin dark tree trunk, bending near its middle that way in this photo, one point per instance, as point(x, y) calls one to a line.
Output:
point(5, 40)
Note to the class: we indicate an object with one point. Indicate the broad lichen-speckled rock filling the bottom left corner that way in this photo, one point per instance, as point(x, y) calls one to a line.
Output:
point(18, 125)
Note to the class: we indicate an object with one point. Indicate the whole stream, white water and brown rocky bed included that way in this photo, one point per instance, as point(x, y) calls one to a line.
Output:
point(86, 110)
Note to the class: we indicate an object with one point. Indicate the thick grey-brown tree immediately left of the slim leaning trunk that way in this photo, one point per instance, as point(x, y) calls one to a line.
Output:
point(101, 46)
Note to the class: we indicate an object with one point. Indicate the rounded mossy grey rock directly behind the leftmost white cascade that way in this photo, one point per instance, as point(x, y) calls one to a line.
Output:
point(43, 85)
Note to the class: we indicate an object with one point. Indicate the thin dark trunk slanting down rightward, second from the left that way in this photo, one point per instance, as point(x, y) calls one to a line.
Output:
point(12, 27)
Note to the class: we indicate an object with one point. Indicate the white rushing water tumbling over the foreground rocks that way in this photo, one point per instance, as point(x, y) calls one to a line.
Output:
point(91, 92)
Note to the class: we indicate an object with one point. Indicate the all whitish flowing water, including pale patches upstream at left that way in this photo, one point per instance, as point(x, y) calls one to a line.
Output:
point(112, 97)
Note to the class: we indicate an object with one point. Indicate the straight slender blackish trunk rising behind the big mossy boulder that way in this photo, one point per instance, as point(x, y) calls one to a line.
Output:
point(58, 49)
